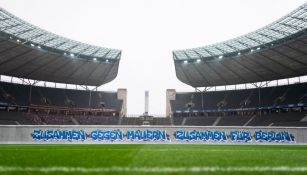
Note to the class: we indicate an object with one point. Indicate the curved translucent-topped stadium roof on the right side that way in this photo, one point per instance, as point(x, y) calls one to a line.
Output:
point(275, 51)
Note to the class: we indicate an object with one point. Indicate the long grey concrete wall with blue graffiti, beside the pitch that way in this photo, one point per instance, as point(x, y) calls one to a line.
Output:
point(82, 134)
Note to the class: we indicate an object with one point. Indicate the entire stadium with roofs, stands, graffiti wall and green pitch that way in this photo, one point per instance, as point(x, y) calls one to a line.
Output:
point(246, 115)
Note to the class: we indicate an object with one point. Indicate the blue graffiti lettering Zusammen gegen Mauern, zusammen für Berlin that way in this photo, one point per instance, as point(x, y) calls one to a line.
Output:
point(162, 135)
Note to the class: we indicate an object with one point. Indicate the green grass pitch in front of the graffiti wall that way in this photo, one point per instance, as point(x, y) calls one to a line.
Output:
point(152, 159)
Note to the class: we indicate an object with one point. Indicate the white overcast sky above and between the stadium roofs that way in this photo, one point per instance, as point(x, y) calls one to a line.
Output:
point(147, 31)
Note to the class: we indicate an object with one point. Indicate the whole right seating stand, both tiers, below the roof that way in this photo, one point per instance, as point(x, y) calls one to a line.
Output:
point(270, 106)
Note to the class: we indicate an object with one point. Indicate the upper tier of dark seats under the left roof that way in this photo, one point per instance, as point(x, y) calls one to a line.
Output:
point(18, 94)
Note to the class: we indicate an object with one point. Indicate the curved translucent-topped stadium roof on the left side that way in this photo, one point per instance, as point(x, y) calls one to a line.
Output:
point(27, 51)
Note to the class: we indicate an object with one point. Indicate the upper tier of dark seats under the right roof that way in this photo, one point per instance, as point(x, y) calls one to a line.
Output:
point(269, 96)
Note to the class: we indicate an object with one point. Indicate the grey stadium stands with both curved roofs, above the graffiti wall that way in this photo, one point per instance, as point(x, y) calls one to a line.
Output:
point(274, 52)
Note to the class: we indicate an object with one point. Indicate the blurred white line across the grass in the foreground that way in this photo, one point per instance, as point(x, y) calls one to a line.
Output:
point(154, 169)
